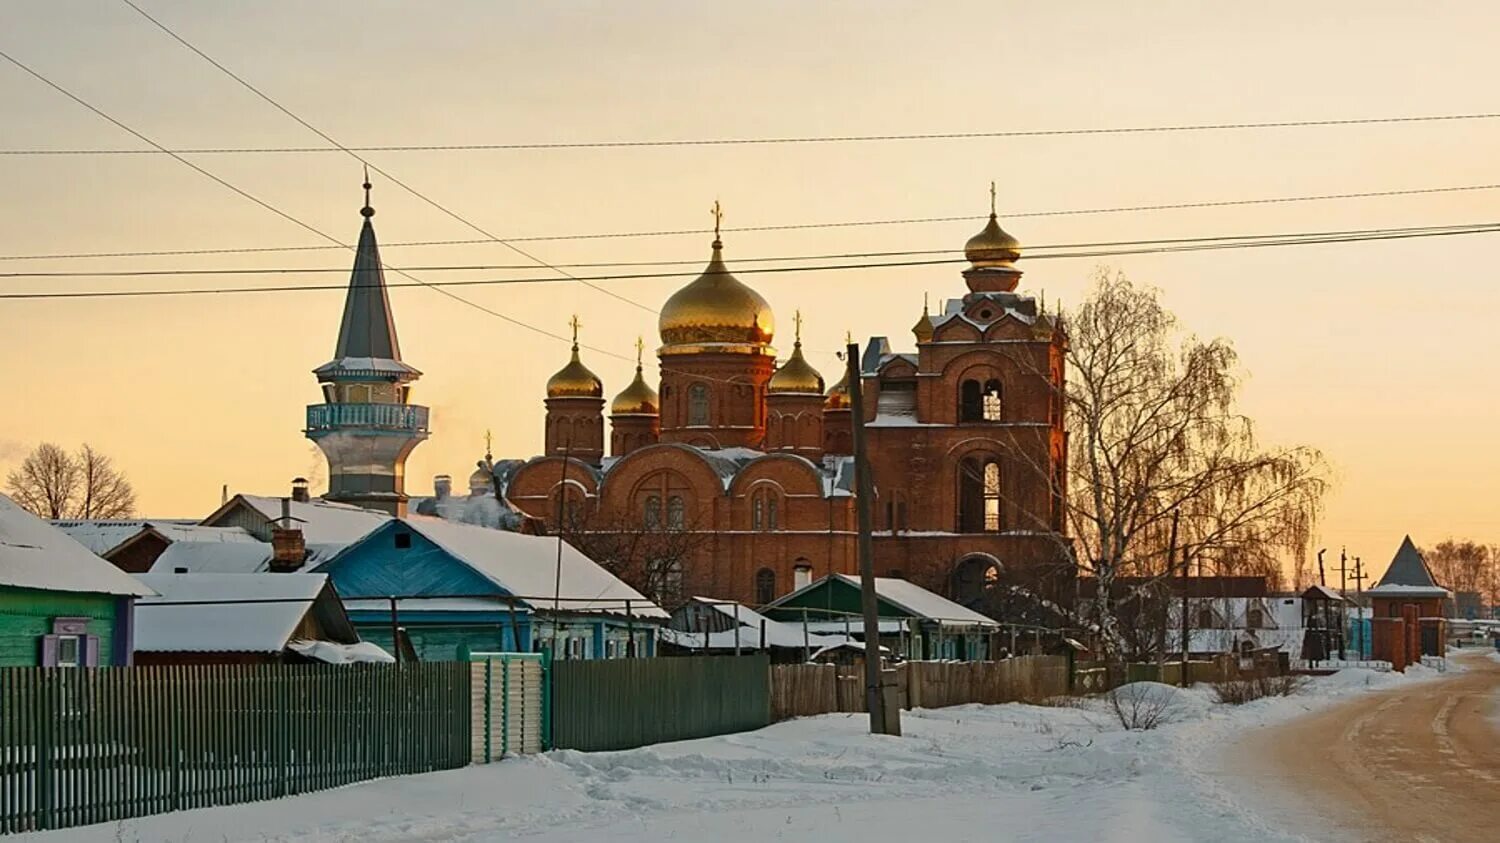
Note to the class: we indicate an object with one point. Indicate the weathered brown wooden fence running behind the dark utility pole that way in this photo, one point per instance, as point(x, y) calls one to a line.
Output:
point(799, 691)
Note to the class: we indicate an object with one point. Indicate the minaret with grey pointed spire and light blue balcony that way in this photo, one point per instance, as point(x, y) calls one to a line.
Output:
point(367, 425)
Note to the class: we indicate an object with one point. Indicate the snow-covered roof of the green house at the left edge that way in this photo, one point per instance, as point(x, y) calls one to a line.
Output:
point(35, 554)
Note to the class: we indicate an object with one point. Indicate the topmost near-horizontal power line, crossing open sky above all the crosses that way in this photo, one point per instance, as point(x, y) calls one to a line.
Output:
point(790, 140)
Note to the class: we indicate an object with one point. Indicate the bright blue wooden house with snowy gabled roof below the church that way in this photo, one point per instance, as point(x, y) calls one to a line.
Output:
point(455, 589)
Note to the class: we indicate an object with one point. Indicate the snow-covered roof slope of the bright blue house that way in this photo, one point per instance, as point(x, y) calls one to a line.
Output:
point(527, 566)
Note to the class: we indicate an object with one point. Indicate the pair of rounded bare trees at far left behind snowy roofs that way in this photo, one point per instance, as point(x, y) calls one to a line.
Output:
point(55, 484)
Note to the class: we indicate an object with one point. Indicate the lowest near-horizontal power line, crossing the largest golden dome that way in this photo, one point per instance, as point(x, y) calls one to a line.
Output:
point(1219, 245)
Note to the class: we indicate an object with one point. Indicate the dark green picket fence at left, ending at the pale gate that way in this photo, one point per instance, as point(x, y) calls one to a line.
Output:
point(85, 746)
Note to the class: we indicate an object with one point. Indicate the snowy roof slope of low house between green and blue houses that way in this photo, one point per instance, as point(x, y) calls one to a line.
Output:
point(224, 628)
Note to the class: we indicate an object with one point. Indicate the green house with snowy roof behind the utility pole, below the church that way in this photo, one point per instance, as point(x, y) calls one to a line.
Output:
point(914, 623)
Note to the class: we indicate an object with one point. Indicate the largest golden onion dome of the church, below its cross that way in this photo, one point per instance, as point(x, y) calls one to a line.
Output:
point(716, 313)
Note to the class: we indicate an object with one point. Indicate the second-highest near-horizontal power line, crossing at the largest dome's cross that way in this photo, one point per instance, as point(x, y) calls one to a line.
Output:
point(788, 227)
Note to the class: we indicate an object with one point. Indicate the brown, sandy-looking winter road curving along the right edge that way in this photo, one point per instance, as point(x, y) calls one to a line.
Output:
point(1415, 766)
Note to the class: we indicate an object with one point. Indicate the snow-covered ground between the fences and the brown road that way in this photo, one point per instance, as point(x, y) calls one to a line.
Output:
point(967, 773)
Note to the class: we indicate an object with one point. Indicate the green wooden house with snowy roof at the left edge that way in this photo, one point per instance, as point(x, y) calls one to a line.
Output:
point(61, 605)
